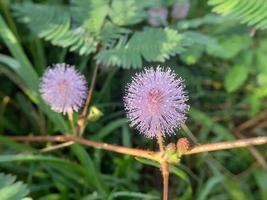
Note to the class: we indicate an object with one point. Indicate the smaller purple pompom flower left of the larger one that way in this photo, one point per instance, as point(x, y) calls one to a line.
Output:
point(63, 88)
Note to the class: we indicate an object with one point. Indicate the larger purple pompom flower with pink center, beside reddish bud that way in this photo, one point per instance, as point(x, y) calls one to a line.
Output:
point(155, 102)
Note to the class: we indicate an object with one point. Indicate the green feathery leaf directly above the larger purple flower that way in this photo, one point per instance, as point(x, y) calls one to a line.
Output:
point(160, 45)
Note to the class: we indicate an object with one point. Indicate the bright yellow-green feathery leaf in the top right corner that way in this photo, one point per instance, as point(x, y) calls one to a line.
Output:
point(250, 12)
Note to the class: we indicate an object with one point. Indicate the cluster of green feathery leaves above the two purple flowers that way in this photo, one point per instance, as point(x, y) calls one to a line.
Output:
point(94, 29)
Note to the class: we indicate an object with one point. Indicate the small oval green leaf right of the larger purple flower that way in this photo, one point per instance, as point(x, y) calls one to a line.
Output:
point(235, 78)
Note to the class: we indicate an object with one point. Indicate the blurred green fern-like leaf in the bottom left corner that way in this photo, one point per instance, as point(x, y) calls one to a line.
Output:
point(10, 189)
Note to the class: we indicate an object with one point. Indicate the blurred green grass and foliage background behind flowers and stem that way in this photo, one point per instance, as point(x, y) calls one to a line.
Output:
point(218, 47)
